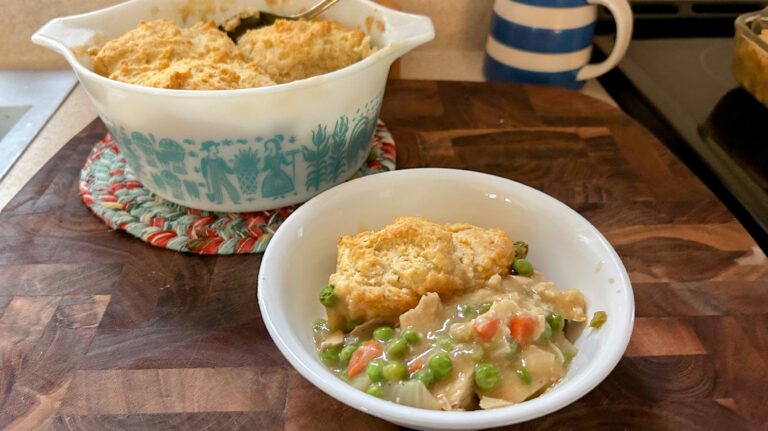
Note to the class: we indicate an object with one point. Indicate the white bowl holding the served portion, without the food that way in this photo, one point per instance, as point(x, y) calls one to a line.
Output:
point(564, 246)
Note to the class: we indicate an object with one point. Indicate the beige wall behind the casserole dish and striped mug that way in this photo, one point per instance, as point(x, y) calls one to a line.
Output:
point(461, 27)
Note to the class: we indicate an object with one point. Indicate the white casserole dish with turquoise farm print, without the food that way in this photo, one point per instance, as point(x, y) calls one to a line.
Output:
point(248, 149)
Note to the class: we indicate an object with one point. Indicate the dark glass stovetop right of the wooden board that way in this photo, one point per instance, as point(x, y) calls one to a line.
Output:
point(689, 85)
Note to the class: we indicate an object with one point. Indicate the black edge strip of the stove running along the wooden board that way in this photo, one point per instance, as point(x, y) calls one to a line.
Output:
point(639, 108)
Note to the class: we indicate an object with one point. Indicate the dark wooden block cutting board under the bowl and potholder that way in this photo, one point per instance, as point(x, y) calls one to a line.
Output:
point(99, 330)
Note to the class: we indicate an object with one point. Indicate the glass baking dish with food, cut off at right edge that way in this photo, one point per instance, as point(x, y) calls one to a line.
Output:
point(750, 58)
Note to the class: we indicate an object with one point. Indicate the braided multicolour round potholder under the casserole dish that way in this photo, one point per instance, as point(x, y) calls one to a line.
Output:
point(116, 196)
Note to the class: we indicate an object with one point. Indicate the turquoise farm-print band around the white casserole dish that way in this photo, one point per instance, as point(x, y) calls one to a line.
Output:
point(232, 170)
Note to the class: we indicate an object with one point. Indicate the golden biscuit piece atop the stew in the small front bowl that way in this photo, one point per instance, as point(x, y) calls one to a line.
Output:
point(383, 274)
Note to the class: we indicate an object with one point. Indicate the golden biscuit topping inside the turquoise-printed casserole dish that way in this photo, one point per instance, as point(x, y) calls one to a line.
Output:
point(162, 54)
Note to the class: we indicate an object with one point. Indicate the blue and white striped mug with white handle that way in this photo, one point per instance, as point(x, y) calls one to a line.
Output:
point(550, 41)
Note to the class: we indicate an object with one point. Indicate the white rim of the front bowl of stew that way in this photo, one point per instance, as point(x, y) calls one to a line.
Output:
point(318, 375)
